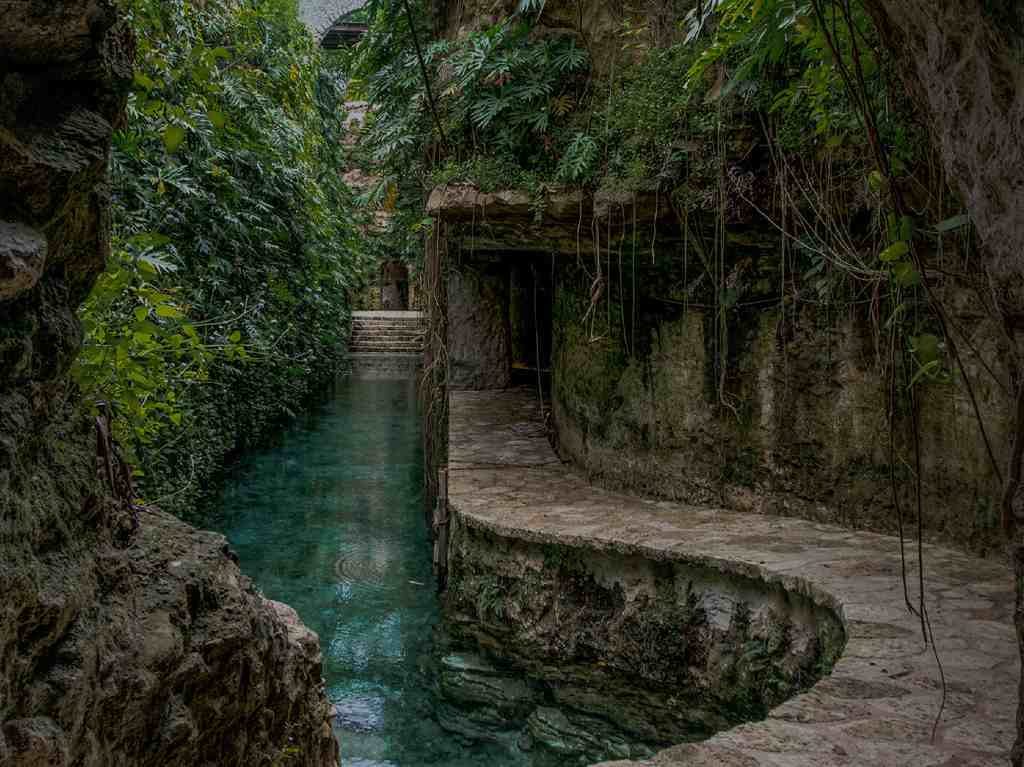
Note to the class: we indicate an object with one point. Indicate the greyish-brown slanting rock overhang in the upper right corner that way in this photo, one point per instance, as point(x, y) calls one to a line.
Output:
point(962, 61)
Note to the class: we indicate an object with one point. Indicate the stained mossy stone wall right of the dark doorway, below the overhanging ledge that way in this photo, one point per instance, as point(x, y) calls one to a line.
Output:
point(790, 418)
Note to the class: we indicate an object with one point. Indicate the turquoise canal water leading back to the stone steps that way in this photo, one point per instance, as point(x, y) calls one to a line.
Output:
point(331, 522)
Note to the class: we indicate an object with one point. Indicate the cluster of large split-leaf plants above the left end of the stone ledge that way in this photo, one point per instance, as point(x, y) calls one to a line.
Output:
point(498, 105)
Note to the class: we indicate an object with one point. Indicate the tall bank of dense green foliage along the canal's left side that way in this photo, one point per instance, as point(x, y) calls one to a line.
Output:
point(226, 304)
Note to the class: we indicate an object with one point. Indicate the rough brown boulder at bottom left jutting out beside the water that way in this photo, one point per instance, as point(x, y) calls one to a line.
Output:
point(179, 662)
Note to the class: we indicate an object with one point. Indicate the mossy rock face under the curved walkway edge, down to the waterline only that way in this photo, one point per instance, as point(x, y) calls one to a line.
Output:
point(569, 622)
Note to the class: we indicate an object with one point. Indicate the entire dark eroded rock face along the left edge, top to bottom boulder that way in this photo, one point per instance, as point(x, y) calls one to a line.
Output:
point(123, 642)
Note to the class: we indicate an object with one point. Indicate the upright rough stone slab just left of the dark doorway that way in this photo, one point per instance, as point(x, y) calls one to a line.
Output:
point(480, 340)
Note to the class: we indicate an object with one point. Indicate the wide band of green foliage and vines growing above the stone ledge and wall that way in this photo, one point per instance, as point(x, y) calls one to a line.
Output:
point(722, 94)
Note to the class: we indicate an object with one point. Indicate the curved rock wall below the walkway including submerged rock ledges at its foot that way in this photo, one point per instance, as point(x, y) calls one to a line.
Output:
point(581, 655)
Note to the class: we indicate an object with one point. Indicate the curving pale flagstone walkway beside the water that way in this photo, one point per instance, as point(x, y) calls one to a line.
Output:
point(879, 706)
